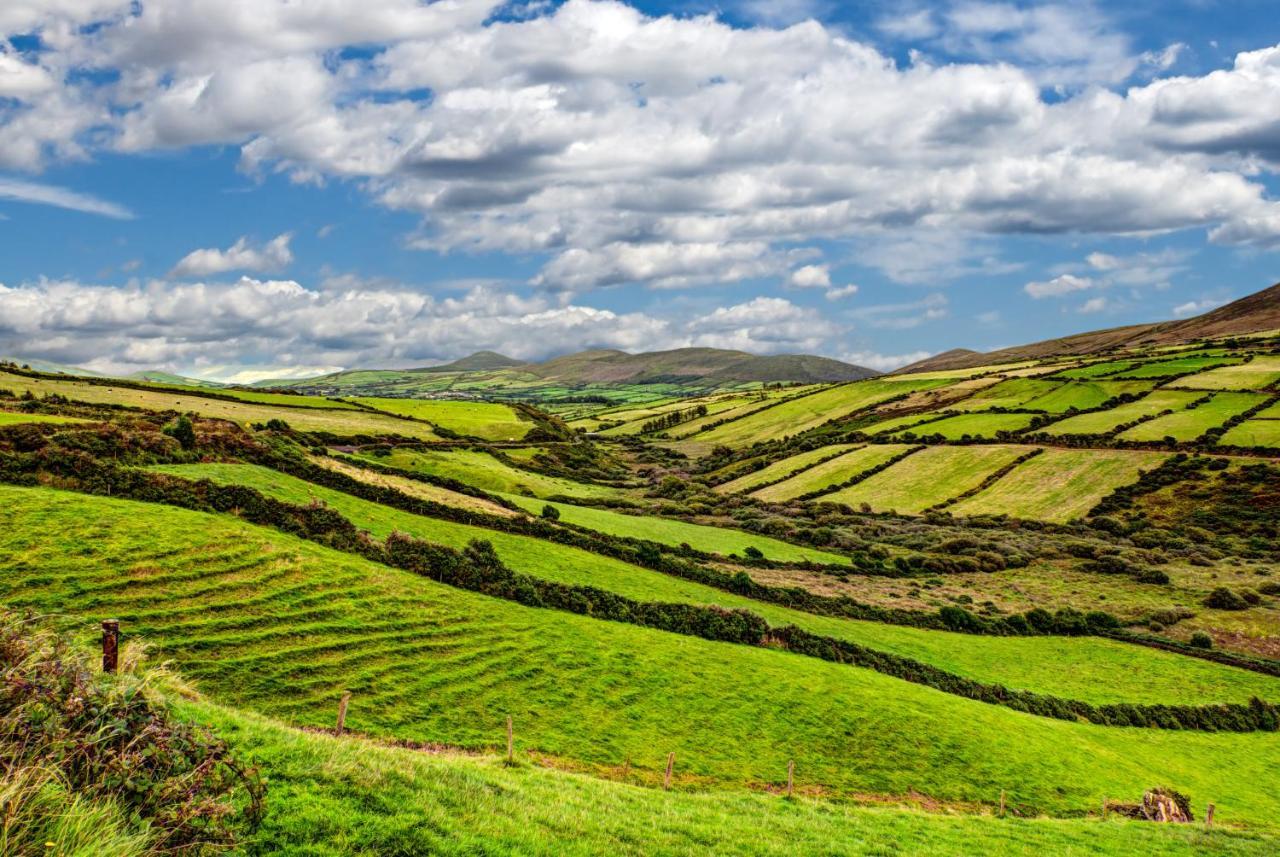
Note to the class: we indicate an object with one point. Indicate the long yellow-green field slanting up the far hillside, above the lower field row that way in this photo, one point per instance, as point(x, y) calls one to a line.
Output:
point(803, 414)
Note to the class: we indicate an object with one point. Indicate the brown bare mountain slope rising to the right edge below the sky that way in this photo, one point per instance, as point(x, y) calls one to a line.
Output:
point(1250, 315)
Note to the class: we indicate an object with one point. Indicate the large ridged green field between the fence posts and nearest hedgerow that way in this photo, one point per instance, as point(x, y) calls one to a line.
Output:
point(267, 622)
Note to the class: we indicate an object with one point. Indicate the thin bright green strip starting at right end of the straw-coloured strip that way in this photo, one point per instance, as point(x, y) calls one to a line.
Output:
point(716, 540)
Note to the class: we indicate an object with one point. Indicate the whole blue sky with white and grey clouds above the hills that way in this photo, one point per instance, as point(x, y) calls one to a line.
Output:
point(249, 189)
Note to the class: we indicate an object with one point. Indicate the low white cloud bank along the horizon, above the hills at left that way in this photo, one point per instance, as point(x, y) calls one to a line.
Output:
point(200, 328)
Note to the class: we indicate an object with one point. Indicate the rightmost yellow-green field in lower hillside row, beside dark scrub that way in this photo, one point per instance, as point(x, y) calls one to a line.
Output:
point(1059, 485)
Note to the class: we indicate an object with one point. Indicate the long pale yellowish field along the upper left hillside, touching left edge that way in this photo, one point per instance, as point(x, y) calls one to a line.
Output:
point(342, 420)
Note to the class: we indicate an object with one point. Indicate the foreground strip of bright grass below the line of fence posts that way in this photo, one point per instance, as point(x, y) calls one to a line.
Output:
point(354, 799)
